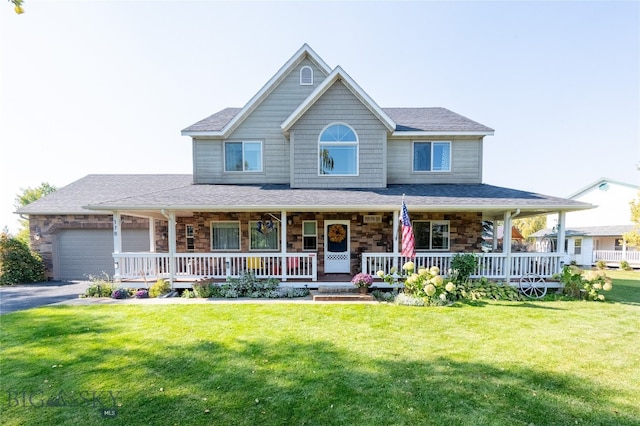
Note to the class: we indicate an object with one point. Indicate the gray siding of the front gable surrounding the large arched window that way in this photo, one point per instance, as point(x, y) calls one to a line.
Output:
point(338, 104)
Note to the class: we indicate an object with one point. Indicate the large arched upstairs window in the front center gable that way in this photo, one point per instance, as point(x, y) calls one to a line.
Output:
point(338, 151)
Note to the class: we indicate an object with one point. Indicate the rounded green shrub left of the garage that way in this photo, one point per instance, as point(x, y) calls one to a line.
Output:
point(18, 264)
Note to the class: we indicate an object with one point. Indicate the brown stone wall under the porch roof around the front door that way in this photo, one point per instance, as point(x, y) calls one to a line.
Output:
point(465, 232)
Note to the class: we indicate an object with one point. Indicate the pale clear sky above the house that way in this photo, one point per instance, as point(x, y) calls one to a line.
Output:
point(107, 86)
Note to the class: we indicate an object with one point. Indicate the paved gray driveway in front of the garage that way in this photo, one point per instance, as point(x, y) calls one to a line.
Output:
point(27, 296)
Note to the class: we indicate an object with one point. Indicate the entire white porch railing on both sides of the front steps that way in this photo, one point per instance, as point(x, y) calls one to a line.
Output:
point(183, 269)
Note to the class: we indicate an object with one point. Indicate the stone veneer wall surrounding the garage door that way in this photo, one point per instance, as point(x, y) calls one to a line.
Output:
point(48, 225)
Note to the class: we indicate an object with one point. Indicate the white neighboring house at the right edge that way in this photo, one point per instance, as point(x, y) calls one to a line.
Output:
point(596, 234)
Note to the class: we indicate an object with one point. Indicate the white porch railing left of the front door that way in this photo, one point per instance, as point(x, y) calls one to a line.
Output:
point(192, 266)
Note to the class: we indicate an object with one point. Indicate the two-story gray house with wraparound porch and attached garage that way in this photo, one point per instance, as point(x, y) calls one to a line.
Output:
point(305, 182)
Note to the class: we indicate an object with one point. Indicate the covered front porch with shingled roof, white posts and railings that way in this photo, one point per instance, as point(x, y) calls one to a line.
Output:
point(310, 235)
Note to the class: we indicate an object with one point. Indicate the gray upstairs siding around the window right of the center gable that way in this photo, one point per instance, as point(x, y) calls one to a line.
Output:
point(466, 162)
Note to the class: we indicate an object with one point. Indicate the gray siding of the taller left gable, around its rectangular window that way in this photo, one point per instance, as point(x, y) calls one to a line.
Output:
point(262, 124)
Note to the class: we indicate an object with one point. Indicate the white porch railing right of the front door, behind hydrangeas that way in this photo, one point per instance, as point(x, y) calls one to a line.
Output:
point(489, 265)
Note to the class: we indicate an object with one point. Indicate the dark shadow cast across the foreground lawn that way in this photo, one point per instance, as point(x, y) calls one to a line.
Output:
point(195, 374)
